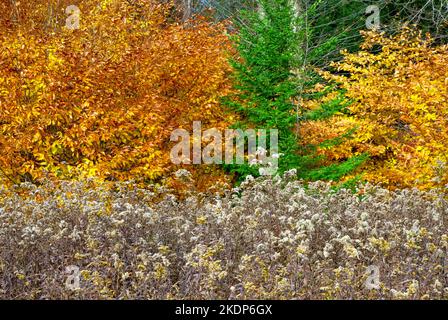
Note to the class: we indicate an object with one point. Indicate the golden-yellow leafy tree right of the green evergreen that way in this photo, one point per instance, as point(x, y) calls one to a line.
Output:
point(399, 89)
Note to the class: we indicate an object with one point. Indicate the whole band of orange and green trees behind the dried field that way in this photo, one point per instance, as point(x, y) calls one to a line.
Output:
point(102, 100)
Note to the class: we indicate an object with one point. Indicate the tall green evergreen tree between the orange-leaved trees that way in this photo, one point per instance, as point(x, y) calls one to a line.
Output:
point(270, 75)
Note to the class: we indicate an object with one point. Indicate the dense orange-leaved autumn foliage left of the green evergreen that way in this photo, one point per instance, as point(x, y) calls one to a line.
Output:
point(103, 100)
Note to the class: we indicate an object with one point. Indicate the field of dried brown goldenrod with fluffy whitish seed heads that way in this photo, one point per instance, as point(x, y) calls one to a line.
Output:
point(268, 239)
